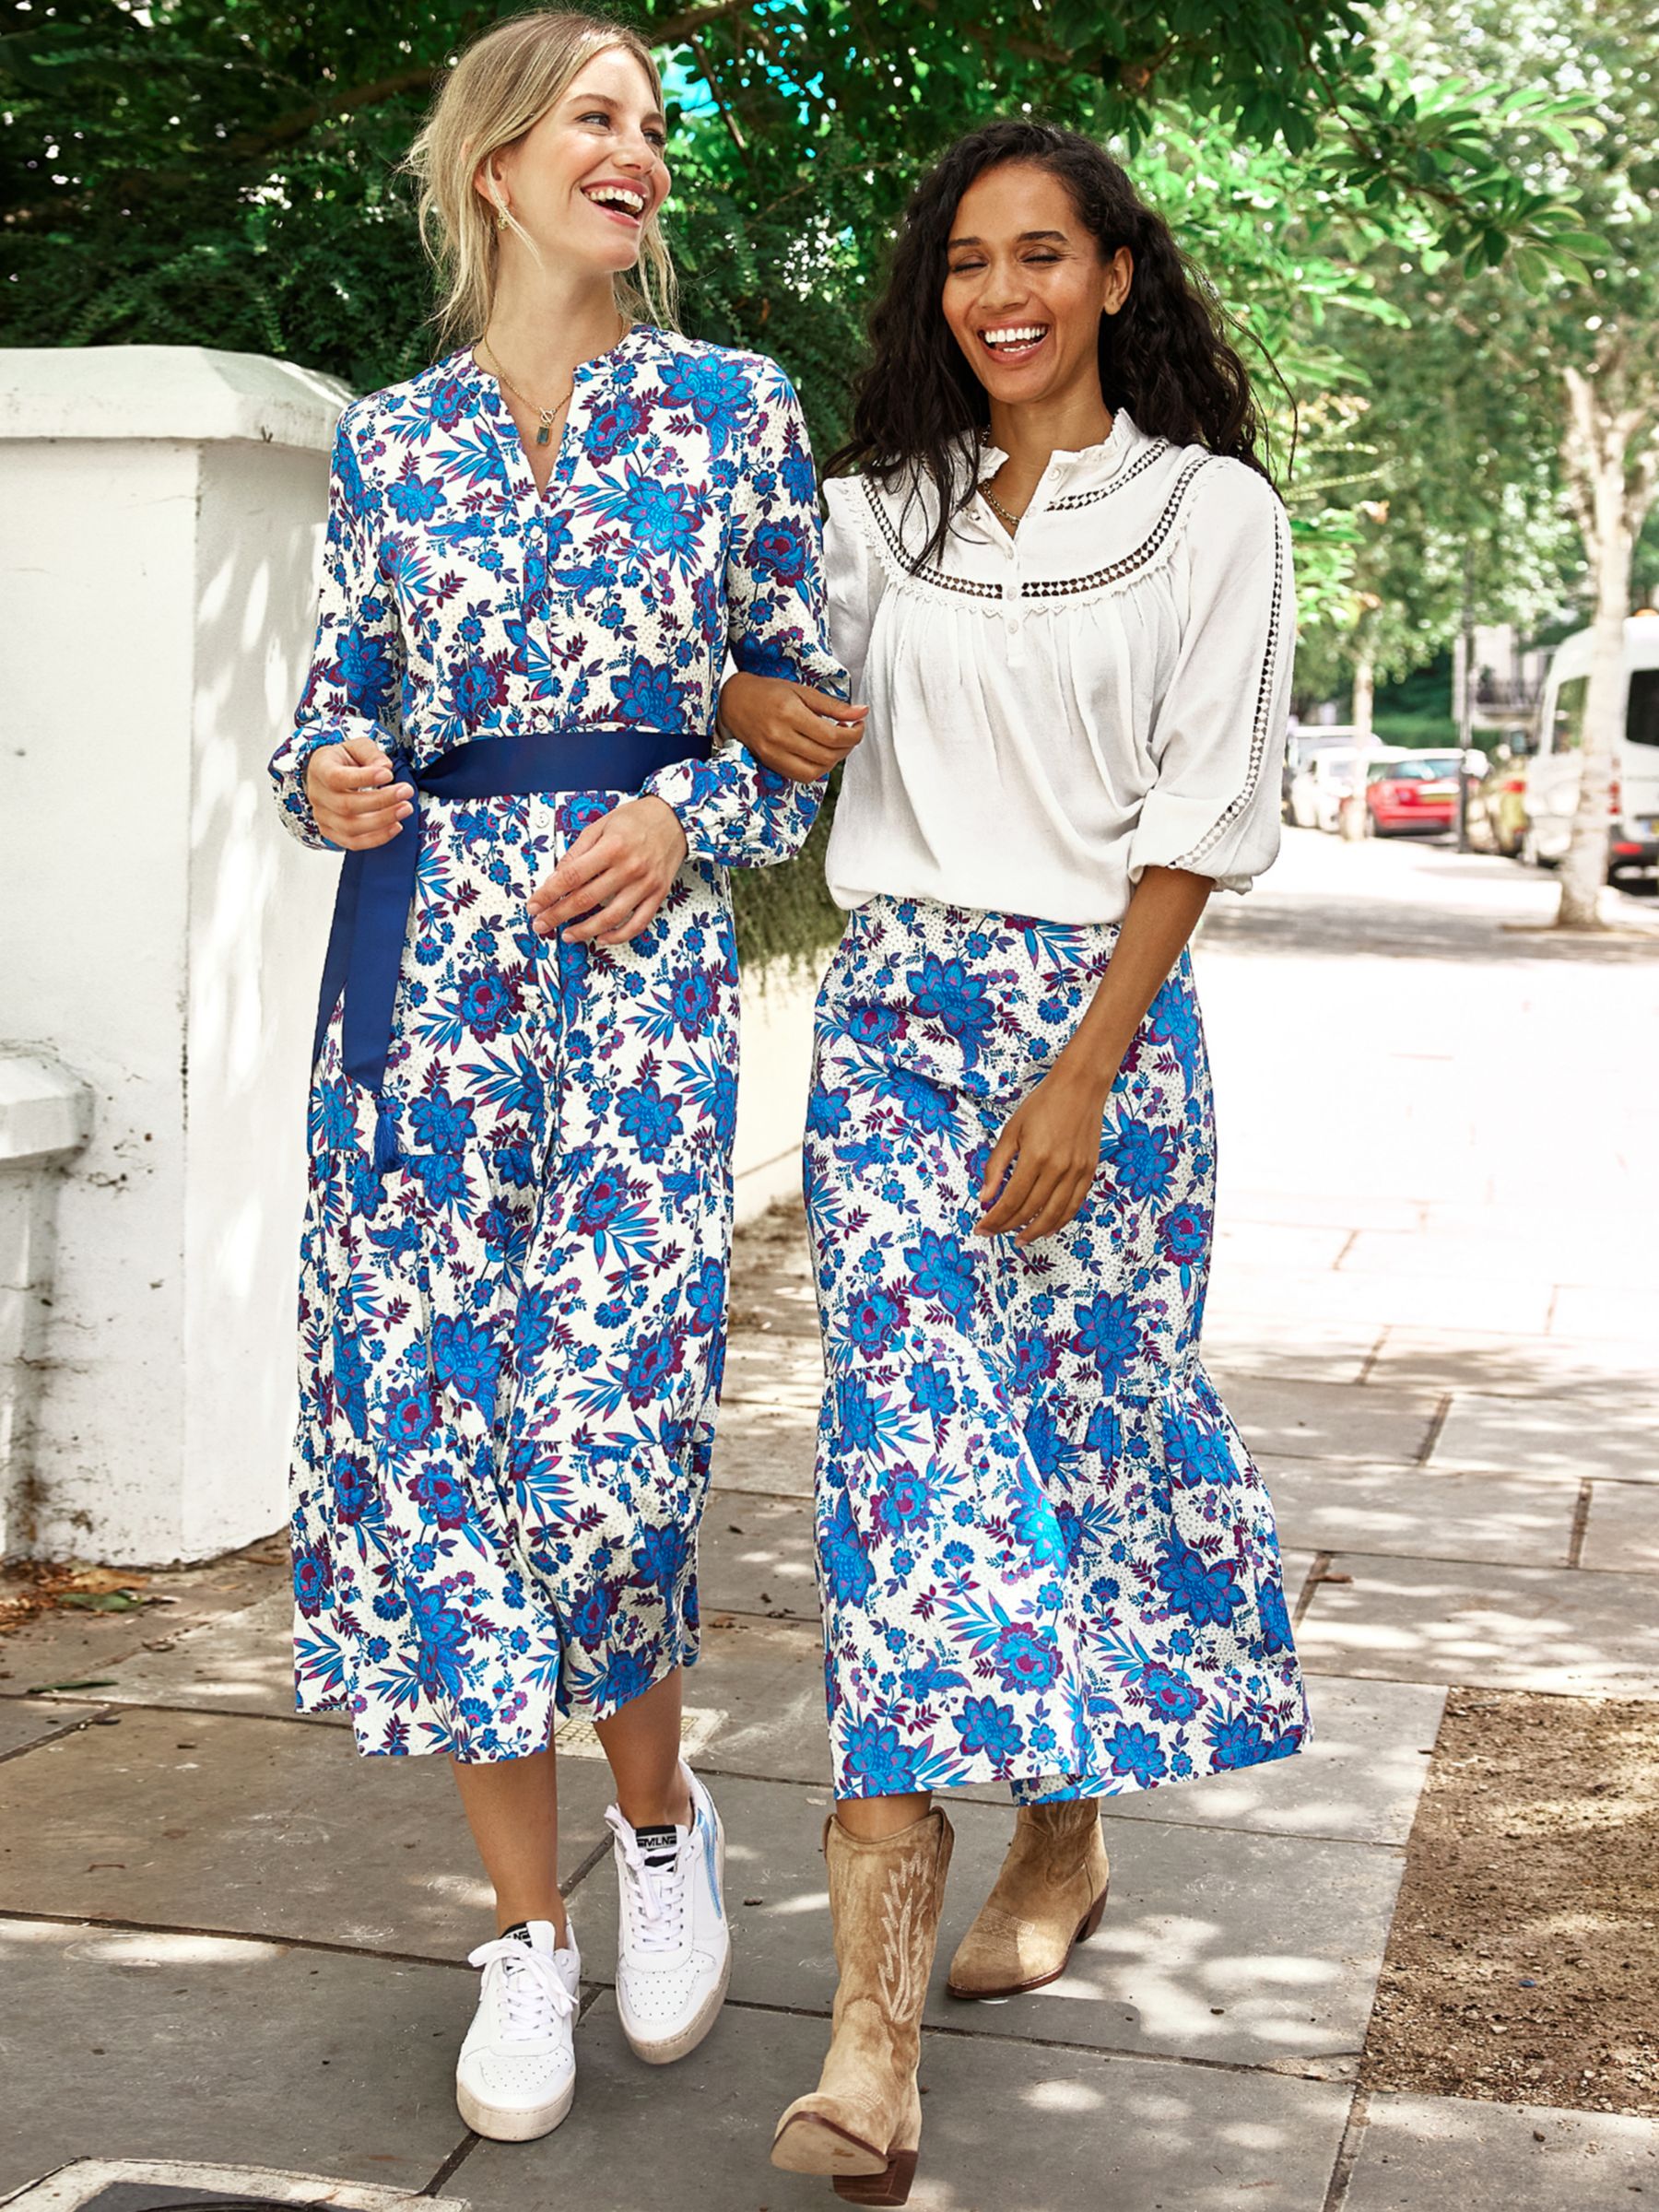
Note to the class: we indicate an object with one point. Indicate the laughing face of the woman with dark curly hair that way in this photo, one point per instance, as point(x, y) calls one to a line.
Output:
point(1027, 284)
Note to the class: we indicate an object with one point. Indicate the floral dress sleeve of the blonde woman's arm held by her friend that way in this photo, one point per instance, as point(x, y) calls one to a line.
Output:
point(733, 811)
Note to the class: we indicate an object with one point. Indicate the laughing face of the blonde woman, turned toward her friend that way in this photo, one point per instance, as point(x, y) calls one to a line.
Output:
point(587, 178)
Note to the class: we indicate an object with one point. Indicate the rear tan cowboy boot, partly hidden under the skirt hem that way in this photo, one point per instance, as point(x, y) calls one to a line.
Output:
point(1047, 1899)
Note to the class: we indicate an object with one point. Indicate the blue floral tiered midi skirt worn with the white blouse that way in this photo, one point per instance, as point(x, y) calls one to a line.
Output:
point(1045, 1556)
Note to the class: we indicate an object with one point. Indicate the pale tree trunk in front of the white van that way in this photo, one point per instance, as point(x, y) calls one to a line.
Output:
point(1611, 499)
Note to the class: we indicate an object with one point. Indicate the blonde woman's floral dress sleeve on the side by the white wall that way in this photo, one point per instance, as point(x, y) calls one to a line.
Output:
point(355, 680)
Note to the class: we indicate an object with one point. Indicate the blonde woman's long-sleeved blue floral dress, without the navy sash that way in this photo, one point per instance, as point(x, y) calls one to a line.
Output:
point(512, 1339)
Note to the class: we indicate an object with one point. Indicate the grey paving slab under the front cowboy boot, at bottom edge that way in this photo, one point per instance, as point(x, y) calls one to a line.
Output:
point(1008, 2129)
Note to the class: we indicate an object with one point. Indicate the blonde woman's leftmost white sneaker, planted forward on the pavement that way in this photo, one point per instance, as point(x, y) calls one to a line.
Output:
point(517, 2072)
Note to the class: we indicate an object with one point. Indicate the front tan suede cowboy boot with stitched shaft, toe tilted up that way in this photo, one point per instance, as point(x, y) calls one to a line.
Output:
point(866, 2116)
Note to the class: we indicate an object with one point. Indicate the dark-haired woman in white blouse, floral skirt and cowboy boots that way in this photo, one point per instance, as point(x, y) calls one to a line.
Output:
point(1045, 1556)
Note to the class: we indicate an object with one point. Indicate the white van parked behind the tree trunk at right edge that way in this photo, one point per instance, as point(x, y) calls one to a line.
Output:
point(1552, 780)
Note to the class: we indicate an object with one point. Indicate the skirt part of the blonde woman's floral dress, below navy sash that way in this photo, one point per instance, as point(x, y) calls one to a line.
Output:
point(512, 1342)
